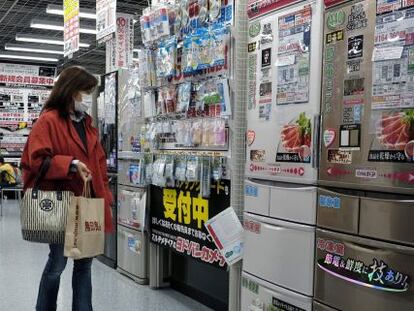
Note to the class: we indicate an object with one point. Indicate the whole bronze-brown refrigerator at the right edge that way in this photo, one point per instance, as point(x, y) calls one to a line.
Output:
point(364, 241)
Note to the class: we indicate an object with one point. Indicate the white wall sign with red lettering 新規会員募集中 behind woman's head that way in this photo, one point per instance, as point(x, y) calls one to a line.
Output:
point(13, 74)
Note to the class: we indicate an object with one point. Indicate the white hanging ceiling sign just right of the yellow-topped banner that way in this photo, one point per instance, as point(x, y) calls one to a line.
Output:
point(105, 18)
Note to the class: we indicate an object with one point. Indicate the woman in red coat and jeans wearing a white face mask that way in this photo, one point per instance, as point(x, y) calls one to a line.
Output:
point(64, 132)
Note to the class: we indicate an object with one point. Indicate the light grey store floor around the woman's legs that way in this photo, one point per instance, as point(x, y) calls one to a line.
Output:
point(21, 265)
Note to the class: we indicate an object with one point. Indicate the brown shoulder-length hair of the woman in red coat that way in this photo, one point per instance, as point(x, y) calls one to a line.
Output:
point(71, 81)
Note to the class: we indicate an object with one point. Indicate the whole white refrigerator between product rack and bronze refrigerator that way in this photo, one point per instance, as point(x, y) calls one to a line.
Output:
point(283, 113)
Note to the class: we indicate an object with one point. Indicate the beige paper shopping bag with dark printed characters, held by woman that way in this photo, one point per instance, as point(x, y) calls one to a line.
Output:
point(85, 226)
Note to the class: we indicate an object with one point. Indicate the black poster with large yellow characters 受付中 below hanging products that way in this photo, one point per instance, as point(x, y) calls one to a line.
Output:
point(179, 215)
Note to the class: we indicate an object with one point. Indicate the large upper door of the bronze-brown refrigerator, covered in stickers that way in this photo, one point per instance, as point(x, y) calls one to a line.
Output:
point(367, 107)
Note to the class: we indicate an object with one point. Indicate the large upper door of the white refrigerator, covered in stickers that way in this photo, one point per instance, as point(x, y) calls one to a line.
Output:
point(285, 51)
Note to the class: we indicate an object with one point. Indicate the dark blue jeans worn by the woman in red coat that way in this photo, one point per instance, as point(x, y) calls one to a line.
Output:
point(49, 284)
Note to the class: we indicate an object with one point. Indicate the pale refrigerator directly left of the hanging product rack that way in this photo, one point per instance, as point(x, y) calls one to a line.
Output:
point(133, 245)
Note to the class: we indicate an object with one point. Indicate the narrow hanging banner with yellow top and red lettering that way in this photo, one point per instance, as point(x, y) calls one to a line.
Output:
point(71, 27)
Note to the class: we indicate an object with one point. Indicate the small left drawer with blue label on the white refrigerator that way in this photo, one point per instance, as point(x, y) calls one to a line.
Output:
point(256, 197)
